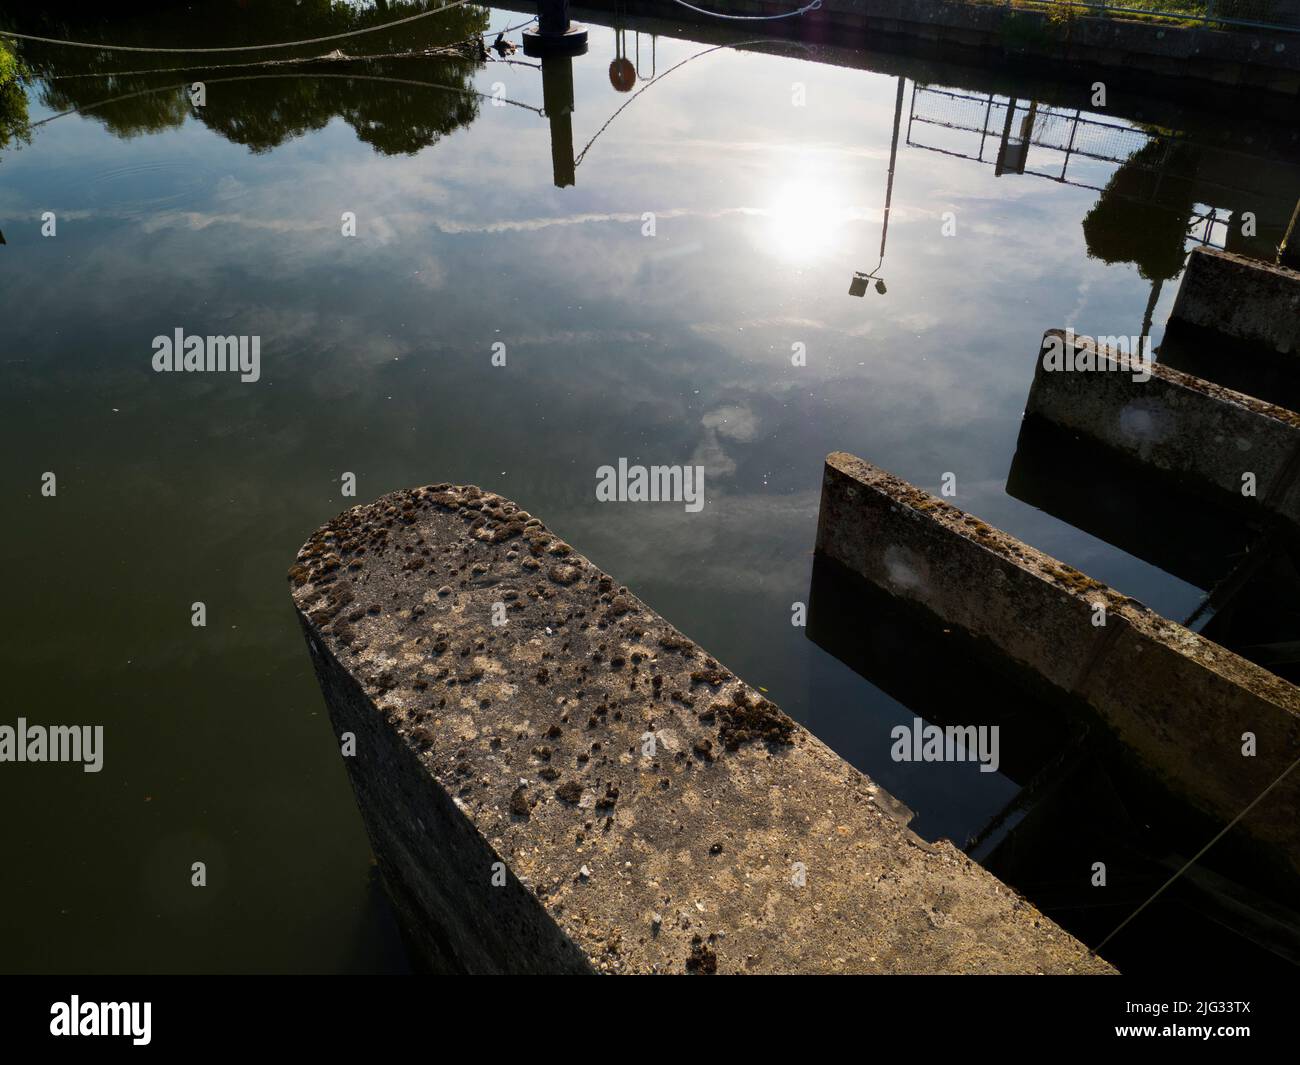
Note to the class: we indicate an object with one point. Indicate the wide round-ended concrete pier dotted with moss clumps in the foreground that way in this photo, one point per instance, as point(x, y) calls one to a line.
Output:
point(582, 789)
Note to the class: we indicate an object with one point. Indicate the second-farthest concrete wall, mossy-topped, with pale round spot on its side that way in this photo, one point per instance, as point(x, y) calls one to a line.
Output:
point(1201, 435)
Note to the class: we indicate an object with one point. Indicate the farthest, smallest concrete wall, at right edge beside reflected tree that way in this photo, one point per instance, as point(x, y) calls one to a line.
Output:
point(1241, 298)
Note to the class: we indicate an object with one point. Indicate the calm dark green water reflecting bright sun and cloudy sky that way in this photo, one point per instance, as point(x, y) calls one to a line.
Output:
point(376, 361)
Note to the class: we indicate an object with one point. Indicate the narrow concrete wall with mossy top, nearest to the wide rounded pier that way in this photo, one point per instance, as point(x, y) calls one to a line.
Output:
point(1180, 703)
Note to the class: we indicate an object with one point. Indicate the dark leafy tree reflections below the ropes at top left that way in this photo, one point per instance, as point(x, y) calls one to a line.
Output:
point(259, 99)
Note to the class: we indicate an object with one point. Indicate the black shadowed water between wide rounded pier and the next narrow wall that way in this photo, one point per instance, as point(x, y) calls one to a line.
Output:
point(1081, 798)
